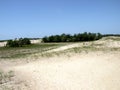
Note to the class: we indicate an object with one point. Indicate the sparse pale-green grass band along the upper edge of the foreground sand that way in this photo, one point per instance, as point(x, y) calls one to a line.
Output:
point(86, 49)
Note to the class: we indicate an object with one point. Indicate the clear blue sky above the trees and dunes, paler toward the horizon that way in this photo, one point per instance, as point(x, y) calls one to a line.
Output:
point(38, 18)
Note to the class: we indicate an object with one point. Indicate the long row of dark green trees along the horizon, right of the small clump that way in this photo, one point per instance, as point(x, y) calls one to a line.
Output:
point(73, 38)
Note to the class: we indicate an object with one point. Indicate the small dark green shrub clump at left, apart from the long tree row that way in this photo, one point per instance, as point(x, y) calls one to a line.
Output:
point(18, 43)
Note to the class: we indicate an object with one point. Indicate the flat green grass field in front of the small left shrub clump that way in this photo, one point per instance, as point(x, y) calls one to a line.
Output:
point(18, 52)
